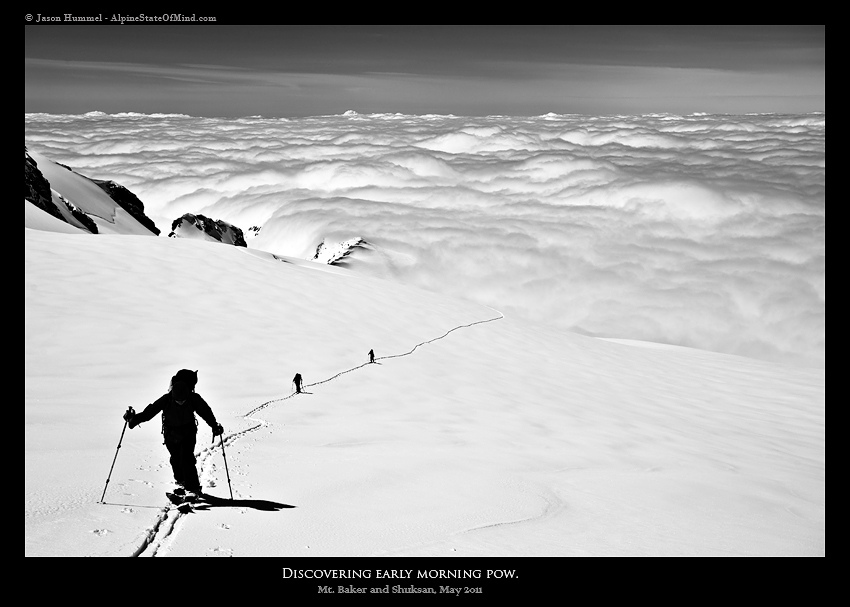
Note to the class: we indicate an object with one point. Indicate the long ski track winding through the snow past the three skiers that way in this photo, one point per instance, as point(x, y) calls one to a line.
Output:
point(159, 537)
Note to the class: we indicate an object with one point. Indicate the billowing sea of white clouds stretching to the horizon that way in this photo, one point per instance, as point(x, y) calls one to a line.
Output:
point(705, 231)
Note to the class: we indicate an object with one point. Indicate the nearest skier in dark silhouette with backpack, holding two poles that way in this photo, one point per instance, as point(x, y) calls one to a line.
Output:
point(180, 427)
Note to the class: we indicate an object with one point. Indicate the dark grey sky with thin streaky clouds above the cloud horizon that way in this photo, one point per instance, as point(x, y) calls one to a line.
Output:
point(288, 71)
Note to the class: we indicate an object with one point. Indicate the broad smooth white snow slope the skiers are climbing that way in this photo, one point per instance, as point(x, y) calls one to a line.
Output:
point(473, 434)
